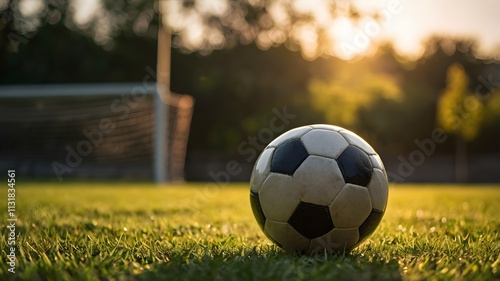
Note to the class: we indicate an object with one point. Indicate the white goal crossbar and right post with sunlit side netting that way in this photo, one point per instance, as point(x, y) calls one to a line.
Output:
point(162, 101)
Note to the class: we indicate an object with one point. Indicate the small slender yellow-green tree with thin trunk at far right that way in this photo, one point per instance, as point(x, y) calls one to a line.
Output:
point(460, 113)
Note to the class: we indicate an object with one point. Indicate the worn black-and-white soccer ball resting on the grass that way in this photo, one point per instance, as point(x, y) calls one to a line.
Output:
point(318, 188)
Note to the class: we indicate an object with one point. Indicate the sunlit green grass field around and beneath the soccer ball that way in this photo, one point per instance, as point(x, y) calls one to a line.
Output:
point(199, 232)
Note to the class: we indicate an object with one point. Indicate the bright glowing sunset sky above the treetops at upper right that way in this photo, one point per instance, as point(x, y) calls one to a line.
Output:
point(408, 24)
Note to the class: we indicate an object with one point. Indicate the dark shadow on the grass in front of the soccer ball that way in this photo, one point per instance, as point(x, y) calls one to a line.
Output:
point(272, 264)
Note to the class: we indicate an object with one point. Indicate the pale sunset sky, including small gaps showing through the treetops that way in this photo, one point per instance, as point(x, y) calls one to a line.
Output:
point(406, 23)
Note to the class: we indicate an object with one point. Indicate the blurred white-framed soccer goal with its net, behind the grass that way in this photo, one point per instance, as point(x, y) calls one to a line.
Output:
point(94, 131)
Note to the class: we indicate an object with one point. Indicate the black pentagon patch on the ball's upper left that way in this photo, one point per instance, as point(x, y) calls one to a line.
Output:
point(288, 156)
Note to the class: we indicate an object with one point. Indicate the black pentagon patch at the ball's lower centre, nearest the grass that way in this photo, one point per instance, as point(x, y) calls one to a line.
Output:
point(311, 220)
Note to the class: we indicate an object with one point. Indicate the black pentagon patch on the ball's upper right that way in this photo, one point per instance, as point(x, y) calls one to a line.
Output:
point(355, 166)
